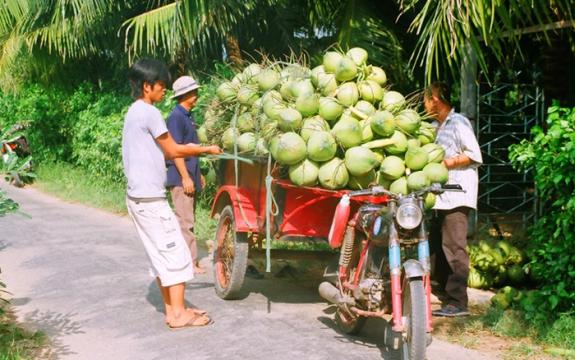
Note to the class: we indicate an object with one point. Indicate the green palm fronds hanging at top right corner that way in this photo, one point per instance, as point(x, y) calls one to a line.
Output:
point(449, 30)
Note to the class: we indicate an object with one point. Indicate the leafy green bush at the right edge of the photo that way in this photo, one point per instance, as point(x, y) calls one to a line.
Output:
point(550, 155)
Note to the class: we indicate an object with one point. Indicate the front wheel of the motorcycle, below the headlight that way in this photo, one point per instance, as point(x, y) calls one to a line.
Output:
point(414, 319)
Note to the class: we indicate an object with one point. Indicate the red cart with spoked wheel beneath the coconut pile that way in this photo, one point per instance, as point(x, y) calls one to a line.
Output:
point(240, 201)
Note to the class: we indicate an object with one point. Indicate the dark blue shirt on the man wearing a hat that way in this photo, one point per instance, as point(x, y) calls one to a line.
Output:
point(182, 127)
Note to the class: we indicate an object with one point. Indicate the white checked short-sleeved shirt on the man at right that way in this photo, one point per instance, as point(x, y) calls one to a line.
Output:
point(456, 136)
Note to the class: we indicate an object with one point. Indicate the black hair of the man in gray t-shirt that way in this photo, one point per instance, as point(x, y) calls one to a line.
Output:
point(148, 71)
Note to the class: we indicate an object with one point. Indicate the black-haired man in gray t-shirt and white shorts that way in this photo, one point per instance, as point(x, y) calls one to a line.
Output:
point(146, 144)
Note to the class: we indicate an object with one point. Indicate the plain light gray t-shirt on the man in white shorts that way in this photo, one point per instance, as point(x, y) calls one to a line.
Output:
point(144, 162)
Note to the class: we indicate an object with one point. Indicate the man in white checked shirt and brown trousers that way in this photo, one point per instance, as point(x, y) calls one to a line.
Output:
point(462, 158)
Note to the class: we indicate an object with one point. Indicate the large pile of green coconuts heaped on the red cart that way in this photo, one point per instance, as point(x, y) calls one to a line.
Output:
point(337, 125)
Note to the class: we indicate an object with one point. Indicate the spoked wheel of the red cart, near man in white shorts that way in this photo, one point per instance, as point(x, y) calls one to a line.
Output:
point(230, 257)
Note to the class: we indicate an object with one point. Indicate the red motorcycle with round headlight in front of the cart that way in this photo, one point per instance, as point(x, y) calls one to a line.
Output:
point(384, 267)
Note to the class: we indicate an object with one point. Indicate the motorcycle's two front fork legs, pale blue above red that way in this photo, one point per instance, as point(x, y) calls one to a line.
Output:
point(395, 273)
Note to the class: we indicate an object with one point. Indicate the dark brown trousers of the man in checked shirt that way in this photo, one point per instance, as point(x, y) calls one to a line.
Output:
point(448, 238)
